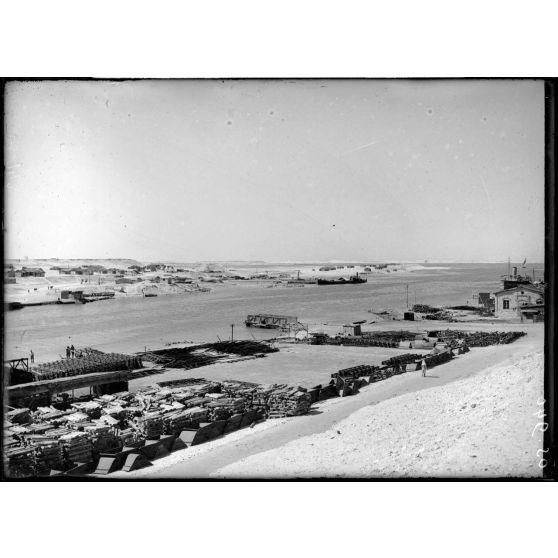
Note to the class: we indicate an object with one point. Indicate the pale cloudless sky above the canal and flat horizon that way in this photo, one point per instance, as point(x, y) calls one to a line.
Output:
point(275, 170)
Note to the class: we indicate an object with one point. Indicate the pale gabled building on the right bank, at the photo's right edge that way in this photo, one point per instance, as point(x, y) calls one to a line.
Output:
point(521, 302)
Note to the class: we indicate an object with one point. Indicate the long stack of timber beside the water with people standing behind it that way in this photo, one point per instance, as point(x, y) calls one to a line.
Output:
point(87, 364)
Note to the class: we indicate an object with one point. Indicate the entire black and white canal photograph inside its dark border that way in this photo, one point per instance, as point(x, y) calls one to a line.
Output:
point(270, 279)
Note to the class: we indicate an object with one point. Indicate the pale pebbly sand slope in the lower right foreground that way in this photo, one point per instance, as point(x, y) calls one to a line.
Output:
point(481, 426)
